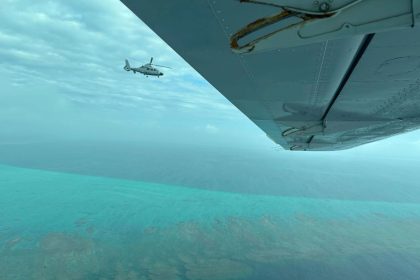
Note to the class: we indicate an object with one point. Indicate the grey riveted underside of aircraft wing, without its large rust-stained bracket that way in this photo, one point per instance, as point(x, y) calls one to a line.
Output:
point(332, 93)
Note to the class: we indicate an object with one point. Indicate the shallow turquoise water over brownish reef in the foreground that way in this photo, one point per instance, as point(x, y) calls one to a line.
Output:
point(64, 226)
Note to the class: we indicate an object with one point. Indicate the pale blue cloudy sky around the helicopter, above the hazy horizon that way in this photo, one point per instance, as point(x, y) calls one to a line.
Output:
point(62, 78)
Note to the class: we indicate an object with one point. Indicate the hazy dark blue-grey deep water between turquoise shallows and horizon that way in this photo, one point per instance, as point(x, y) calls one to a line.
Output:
point(317, 175)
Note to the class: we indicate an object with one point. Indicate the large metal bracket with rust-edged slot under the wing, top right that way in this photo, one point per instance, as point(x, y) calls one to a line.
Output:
point(324, 21)
